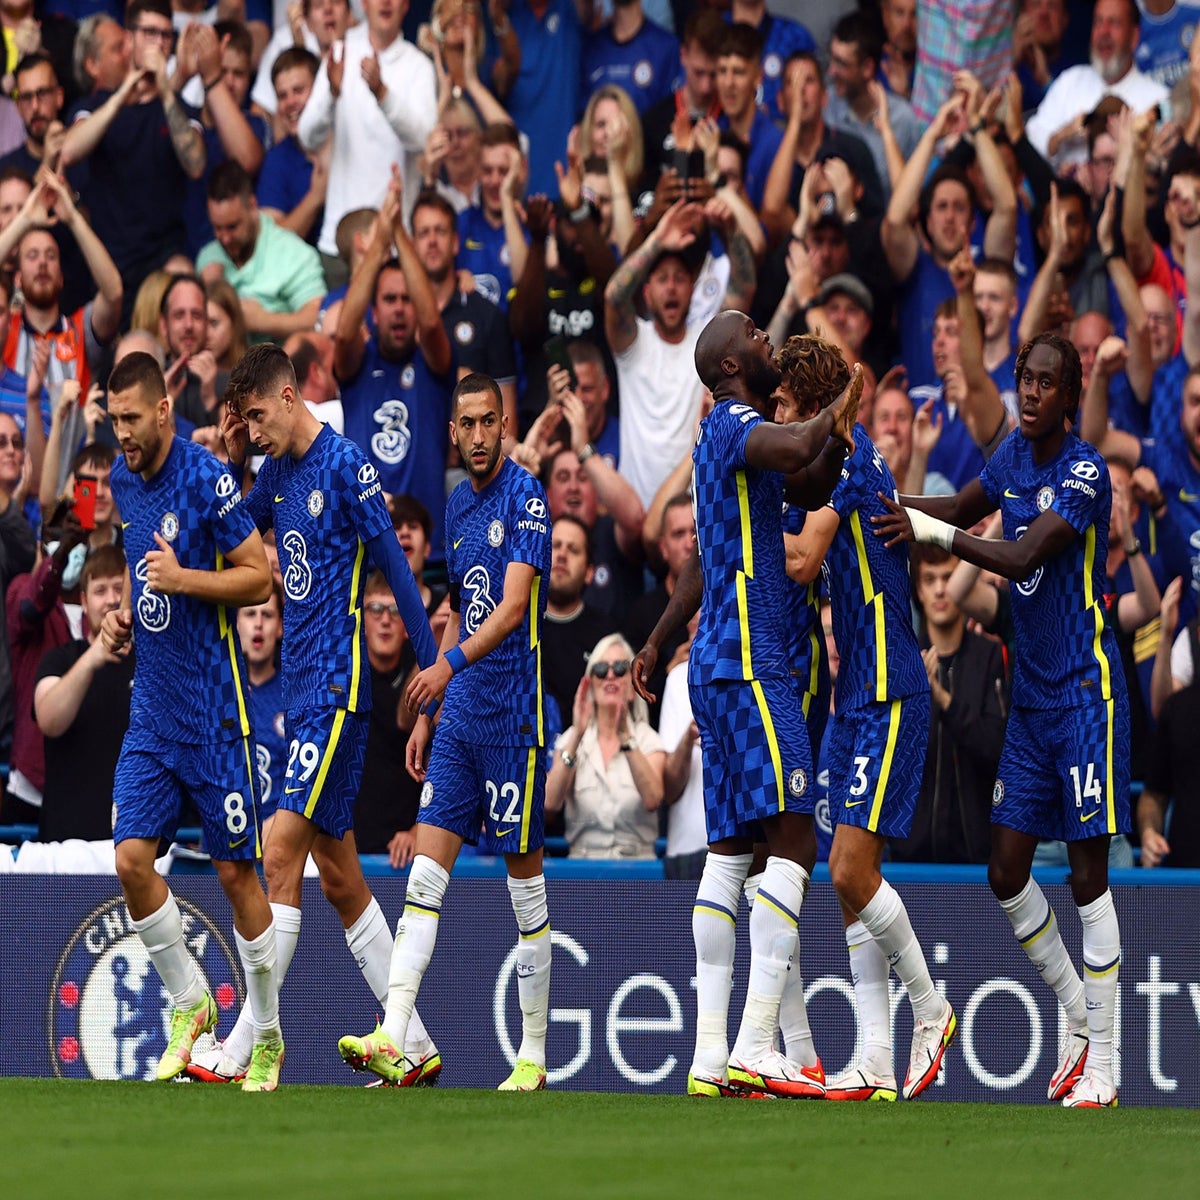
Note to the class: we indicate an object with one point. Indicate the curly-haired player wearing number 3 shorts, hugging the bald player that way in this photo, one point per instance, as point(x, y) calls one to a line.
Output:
point(878, 742)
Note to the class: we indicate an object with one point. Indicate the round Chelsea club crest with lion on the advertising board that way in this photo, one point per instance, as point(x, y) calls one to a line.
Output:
point(110, 1015)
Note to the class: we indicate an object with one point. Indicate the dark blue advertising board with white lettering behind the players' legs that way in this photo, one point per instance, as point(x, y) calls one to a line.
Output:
point(83, 1003)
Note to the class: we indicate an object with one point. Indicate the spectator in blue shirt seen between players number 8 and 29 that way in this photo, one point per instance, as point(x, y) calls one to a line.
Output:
point(260, 631)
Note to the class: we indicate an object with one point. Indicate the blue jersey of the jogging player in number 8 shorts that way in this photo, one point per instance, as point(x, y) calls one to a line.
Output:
point(190, 680)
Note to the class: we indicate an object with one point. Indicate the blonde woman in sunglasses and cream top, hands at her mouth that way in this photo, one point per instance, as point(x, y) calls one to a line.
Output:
point(609, 765)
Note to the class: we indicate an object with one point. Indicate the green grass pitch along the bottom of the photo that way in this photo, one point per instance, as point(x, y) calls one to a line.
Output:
point(95, 1141)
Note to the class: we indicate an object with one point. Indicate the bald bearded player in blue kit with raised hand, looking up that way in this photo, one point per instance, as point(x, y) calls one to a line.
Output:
point(757, 755)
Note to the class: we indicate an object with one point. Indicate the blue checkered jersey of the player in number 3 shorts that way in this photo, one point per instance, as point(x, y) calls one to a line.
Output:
point(871, 590)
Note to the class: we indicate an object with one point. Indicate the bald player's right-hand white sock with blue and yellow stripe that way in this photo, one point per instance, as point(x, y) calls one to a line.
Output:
point(773, 941)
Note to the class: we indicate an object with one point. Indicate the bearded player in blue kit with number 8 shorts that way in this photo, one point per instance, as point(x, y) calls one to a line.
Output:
point(194, 554)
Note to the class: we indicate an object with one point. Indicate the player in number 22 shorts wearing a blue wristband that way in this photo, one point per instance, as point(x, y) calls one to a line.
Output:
point(488, 764)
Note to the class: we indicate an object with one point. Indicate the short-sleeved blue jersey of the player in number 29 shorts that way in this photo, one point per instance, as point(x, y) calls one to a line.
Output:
point(326, 508)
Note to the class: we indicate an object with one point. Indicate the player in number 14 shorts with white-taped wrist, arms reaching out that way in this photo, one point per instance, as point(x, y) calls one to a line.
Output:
point(1065, 771)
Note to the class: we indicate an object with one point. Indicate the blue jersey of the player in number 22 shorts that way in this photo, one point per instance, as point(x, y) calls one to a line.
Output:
point(500, 700)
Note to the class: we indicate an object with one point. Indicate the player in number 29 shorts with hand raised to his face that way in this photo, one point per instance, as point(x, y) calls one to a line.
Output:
point(325, 502)
